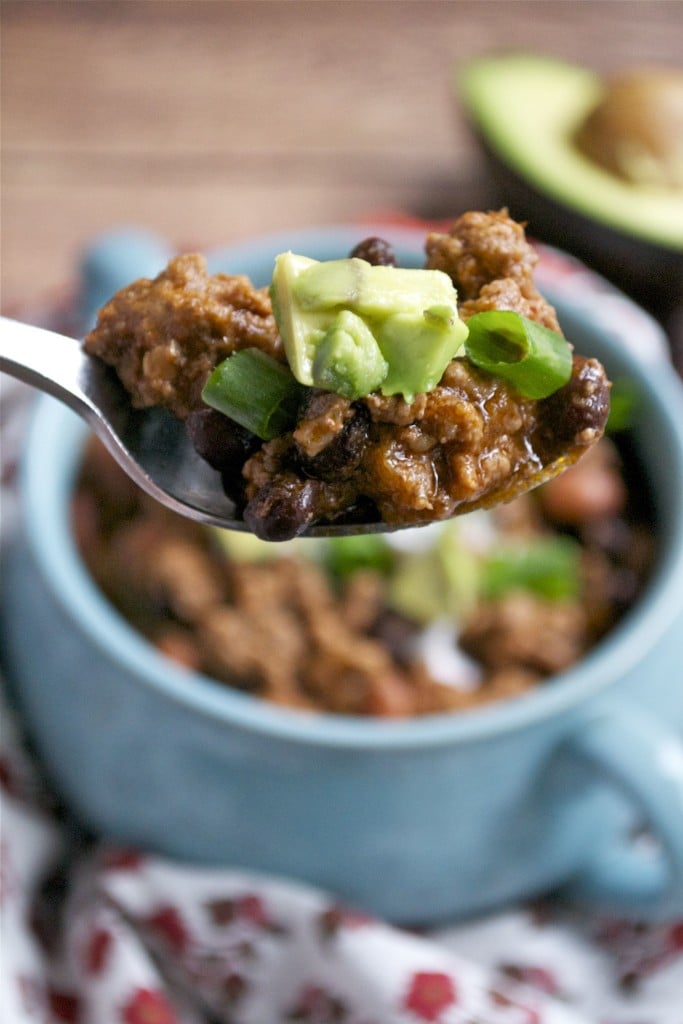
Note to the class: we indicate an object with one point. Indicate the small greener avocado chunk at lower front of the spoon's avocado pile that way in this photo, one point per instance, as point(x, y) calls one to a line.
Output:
point(349, 360)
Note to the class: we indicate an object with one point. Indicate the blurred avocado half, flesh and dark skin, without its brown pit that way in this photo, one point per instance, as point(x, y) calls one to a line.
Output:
point(527, 111)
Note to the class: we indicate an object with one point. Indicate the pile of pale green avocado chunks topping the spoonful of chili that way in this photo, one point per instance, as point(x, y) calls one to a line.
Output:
point(354, 328)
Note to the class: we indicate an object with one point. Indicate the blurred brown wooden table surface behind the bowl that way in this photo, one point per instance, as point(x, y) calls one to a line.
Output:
point(212, 121)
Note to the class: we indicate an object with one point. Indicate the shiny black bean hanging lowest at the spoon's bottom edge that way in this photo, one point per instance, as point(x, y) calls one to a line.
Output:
point(283, 508)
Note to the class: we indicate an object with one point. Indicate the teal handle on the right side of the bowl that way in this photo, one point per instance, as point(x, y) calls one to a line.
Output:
point(645, 760)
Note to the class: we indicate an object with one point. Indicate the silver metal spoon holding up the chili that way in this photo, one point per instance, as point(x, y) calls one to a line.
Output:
point(153, 447)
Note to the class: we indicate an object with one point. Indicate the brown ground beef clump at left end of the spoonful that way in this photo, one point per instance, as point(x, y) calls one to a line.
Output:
point(165, 336)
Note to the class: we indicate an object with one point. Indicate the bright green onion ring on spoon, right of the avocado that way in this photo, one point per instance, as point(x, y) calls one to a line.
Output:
point(532, 358)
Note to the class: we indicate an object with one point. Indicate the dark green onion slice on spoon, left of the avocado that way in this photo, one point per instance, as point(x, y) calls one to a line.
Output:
point(257, 392)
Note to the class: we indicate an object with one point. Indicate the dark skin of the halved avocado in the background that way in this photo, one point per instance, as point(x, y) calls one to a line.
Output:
point(652, 275)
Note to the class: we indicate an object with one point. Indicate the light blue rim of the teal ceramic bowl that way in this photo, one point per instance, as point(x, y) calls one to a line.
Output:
point(50, 462)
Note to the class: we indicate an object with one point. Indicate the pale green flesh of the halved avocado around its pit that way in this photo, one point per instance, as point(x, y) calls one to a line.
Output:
point(528, 110)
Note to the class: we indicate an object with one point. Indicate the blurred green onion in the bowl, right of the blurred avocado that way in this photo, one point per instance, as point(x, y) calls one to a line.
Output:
point(548, 568)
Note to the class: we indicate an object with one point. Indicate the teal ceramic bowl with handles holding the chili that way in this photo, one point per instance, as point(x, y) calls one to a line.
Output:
point(416, 821)
